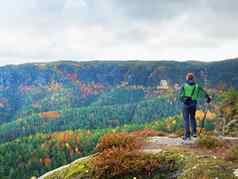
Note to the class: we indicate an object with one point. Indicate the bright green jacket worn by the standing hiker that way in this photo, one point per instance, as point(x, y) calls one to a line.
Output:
point(193, 90)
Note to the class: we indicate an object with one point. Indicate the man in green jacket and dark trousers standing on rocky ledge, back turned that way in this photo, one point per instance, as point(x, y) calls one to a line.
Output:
point(189, 94)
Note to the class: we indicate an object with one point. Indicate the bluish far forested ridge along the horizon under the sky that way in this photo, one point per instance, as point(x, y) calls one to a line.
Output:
point(24, 85)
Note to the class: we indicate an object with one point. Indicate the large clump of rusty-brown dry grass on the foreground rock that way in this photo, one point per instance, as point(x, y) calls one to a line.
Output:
point(120, 156)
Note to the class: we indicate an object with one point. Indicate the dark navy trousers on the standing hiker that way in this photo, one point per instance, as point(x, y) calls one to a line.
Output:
point(189, 112)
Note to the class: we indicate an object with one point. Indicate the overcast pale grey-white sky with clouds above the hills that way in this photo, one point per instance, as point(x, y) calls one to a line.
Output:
point(49, 30)
